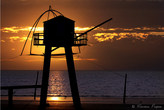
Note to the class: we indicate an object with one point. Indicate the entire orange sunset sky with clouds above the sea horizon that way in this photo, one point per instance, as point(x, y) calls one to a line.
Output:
point(133, 40)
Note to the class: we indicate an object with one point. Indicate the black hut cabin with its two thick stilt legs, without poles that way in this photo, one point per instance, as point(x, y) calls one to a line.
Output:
point(59, 32)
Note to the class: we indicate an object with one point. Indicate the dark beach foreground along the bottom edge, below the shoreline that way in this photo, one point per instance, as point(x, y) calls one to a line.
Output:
point(87, 104)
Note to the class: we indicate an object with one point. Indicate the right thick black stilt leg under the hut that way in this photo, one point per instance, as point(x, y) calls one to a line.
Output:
point(72, 78)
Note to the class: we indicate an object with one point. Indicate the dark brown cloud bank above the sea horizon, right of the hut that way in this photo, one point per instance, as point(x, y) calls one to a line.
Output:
point(128, 54)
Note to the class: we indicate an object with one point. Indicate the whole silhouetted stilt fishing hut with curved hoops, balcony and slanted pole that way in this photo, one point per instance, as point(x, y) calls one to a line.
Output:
point(59, 32)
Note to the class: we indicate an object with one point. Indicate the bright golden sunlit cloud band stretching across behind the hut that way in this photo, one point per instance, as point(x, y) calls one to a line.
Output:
point(101, 35)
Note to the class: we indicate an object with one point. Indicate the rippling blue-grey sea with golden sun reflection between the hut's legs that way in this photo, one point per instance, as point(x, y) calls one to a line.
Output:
point(90, 83)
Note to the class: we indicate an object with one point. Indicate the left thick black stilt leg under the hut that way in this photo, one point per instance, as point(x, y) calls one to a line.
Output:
point(45, 77)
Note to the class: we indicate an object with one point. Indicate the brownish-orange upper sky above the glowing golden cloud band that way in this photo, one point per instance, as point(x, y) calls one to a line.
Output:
point(125, 13)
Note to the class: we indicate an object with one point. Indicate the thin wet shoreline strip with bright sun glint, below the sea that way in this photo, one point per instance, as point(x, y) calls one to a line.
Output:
point(106, 100)
